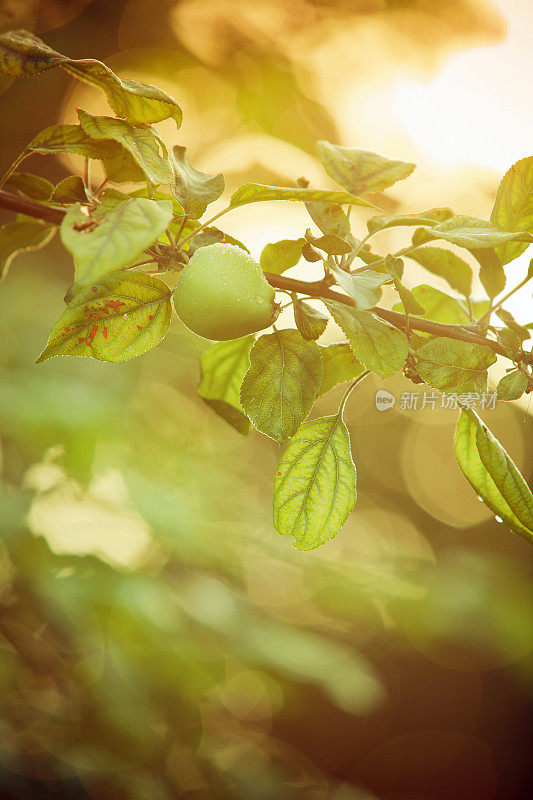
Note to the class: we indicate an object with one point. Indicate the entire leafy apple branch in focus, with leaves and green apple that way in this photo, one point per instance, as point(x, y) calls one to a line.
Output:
point(125, 242)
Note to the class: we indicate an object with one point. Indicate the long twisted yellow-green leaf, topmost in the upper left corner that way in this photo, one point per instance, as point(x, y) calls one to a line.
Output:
point(22, 54)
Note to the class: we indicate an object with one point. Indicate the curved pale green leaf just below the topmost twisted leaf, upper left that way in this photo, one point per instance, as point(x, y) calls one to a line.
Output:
point(139, 140)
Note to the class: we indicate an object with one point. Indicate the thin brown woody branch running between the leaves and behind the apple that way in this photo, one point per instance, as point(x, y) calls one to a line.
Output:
point(318, 289)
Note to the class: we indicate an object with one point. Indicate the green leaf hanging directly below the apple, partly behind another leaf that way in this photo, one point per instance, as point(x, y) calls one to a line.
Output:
point(223, 367)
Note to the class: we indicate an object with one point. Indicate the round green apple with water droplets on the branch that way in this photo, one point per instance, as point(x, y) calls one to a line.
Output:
point(223, 294)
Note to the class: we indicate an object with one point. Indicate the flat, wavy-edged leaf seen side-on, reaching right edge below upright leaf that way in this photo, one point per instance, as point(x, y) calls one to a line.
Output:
point(469, 232)
